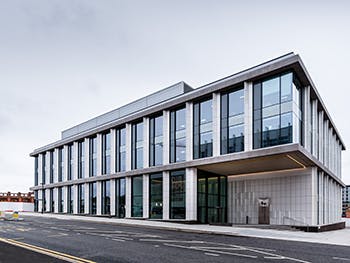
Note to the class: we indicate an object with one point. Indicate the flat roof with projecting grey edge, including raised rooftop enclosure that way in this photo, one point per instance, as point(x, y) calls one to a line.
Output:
point(183, 93)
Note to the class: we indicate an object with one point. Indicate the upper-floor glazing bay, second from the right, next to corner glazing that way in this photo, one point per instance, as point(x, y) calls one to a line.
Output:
point(232, 121)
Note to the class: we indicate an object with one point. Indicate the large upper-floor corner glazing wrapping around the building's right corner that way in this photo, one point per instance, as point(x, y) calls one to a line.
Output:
point(277, 107)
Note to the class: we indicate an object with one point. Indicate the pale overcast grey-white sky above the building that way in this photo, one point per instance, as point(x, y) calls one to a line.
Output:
point(63, 62)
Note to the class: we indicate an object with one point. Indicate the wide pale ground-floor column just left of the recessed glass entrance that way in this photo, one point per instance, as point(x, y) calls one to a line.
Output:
point(191, 194)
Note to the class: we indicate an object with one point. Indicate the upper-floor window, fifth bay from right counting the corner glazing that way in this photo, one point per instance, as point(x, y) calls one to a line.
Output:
point(156, 141)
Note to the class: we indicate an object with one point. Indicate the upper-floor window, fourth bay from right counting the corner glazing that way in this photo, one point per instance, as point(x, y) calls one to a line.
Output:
point(178, 135)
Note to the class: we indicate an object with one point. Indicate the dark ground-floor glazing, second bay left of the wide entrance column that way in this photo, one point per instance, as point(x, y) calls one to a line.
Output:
point(156, 196)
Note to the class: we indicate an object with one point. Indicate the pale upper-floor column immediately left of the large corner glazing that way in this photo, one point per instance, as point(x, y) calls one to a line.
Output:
point(248, 116)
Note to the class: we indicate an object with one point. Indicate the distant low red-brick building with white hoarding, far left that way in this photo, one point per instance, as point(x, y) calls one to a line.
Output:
point(19, 202)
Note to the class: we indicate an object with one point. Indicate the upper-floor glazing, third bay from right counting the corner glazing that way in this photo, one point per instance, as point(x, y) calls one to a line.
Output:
point(202, 129)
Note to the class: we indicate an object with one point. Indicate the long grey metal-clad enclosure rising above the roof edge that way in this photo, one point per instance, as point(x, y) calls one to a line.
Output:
point(138, 105)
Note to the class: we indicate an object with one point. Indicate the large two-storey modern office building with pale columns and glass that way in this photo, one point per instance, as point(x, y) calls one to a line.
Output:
point(257, 147)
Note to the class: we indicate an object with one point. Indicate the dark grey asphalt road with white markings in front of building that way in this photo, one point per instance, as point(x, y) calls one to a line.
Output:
point(108, 242)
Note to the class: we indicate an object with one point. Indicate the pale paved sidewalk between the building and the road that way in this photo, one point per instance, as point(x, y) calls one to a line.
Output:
point(337, 237)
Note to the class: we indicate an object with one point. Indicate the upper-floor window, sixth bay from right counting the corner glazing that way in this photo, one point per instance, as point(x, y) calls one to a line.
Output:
point(137, 146)
